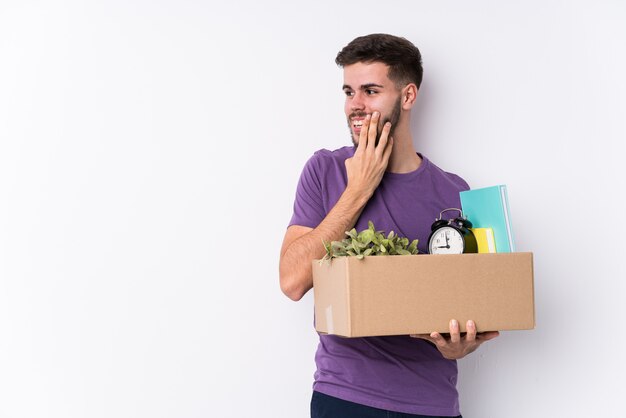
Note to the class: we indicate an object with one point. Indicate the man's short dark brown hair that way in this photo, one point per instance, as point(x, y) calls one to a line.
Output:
point(402, 57)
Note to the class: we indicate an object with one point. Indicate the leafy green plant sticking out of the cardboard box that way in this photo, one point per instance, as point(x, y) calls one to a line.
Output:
point(369, 242)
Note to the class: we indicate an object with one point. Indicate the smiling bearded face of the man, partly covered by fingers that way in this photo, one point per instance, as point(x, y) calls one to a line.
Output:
point(367, 89)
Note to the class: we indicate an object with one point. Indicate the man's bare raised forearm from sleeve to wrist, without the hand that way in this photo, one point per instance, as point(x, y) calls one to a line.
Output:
point(295, 266)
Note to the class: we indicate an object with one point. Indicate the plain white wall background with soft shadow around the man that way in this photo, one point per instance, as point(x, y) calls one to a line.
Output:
point(149, 154)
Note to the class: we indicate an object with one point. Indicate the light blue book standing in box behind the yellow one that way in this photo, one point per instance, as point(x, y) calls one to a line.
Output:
point(489, 208)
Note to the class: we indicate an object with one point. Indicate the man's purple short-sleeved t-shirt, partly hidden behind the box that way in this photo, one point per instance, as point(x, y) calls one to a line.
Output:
point(397, 373)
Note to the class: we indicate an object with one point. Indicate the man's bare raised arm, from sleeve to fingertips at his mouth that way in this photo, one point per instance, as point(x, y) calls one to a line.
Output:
point(302, 245)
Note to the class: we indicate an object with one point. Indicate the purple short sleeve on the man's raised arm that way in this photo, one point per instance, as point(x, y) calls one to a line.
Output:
point(308, 207)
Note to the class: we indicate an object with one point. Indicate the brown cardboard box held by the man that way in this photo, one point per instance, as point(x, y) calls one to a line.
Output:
point(414, 294)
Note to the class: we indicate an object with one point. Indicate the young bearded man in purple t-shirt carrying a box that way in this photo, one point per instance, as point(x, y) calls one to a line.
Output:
point(383, 179)
